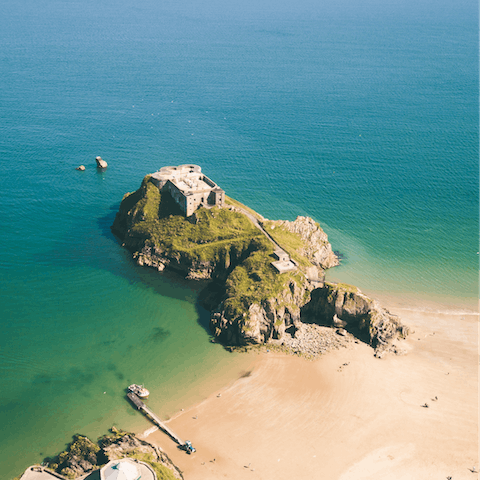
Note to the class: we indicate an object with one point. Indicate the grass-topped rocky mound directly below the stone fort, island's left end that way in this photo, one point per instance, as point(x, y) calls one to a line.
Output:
point(201, 247)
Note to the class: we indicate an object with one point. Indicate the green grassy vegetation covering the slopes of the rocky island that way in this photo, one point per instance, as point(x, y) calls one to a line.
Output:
point(215, 243)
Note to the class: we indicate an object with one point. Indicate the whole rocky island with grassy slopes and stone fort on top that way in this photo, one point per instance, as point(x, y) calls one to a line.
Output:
point(266, 278)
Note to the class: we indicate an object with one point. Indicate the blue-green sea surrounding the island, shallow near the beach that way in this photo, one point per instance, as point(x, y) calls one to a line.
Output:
point(360, 114)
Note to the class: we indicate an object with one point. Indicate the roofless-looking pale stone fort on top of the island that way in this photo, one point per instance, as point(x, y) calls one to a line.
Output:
point(189, 187)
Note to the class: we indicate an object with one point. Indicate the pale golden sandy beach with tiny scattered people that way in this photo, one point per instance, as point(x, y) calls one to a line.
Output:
point(346, 415)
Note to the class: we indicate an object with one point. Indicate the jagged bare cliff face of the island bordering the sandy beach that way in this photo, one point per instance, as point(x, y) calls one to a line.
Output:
point(340, 306)
